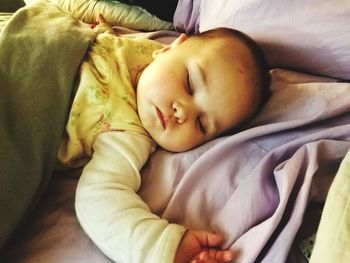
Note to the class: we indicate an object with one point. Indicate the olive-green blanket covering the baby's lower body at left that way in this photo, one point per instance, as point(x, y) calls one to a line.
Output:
point(41, 48)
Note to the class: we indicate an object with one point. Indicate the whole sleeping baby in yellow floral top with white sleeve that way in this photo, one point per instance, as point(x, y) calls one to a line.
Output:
point(134, 94)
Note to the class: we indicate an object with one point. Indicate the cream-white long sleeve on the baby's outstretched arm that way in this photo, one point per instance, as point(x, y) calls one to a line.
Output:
point(110, 211)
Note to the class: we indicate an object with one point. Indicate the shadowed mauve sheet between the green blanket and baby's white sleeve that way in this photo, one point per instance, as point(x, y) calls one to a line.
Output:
point(53, 233)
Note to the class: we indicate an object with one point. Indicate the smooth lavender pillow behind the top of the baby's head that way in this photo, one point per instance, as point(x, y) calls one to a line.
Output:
point(308, 36)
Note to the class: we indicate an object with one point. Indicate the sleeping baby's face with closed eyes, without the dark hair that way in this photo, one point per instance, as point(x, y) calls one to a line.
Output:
point(194, 91)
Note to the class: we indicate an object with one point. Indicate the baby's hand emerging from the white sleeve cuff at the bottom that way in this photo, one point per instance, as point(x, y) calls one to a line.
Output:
point(201, 247)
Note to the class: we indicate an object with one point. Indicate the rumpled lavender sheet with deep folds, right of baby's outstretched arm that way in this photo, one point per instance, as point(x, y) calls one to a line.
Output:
point(255, 186)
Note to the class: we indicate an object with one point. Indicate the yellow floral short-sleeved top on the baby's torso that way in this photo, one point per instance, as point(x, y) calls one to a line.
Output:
point(105, 98)
